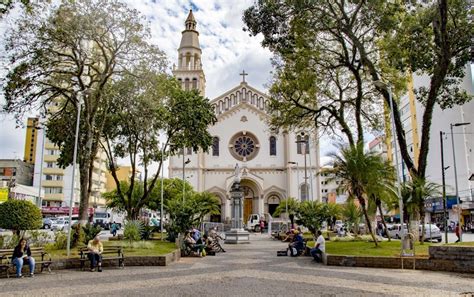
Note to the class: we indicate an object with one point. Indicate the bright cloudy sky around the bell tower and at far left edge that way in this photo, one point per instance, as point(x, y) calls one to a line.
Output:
point(226, 51)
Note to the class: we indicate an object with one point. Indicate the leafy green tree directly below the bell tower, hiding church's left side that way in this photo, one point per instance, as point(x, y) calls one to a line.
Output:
point(148, 105)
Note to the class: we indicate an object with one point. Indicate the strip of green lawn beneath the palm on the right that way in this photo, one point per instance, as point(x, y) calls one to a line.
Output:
point(362, 248)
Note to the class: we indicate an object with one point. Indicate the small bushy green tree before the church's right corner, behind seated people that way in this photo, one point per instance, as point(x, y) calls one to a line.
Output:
point(312, 215)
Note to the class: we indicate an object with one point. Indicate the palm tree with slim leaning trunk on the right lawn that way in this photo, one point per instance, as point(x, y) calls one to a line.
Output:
point(361, 173)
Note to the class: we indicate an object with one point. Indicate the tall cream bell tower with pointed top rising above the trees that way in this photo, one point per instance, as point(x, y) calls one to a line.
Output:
point(189, 70)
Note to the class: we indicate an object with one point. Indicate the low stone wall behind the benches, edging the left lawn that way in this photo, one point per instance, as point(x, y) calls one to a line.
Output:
point(129, 261)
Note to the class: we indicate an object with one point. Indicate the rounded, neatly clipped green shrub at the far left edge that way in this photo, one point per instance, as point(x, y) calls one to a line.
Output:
point(20, 215)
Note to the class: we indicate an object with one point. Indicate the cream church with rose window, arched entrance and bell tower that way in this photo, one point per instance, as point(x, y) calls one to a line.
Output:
point(274, 165)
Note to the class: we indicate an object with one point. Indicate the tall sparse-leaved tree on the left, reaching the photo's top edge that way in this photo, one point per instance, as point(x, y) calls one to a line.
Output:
point(68, 54)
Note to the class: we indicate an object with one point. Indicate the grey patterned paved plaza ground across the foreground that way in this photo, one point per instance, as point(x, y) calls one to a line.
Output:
point(245, 270)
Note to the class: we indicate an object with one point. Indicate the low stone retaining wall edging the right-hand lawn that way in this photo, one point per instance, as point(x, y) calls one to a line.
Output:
point(442, 258)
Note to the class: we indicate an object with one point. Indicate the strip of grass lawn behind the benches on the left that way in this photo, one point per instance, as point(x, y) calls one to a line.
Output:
point(154, 248)
